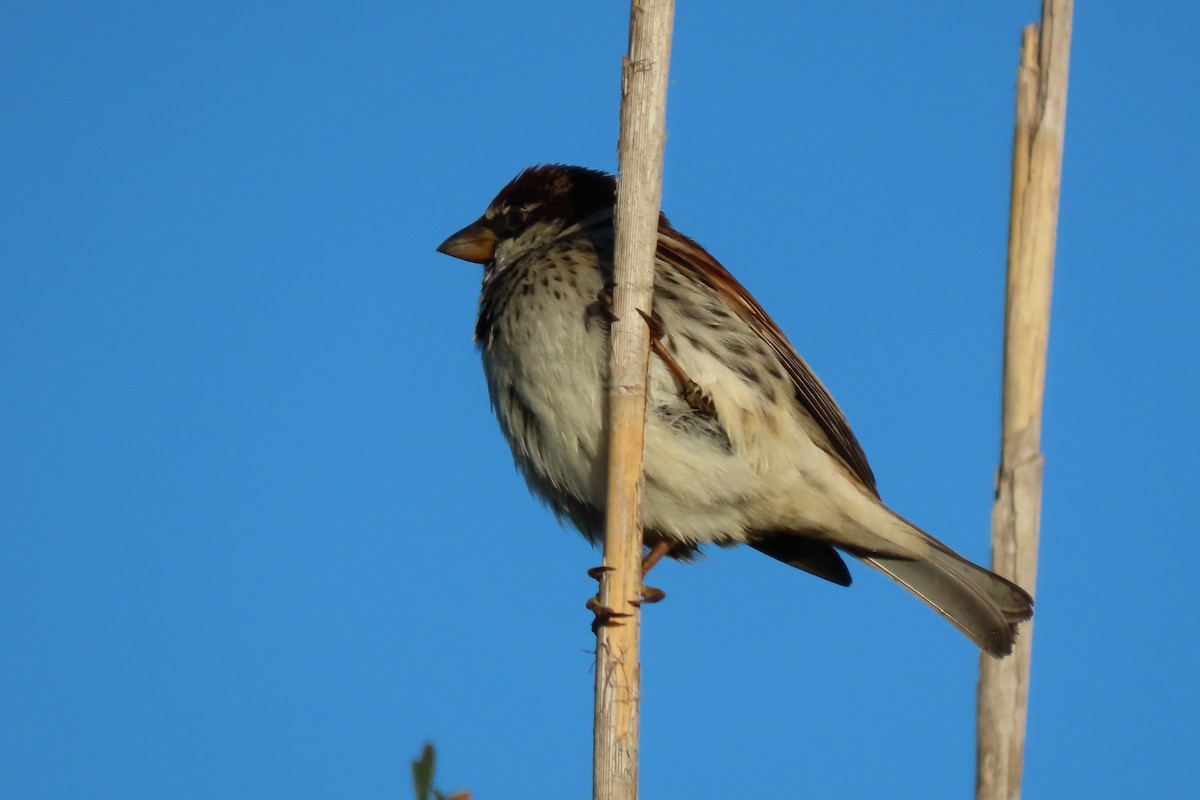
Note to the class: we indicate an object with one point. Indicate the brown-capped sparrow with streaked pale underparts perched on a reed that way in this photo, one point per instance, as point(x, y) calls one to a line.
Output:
point(745, 446)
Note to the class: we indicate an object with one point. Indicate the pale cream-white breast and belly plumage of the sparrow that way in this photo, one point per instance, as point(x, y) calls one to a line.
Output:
point(772, 478)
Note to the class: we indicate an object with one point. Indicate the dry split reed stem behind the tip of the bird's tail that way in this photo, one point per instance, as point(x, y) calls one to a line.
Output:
point(1037, 170)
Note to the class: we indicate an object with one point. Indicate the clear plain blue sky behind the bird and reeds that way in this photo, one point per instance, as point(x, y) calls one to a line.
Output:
point(261, 538)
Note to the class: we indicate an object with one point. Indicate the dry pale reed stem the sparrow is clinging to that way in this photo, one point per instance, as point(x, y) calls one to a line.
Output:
point(639, 199)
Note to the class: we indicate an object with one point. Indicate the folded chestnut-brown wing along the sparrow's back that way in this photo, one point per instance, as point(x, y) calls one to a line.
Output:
point(688, 256)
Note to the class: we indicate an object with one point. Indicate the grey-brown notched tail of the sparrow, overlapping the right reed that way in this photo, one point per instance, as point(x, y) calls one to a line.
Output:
point(981, 604)
